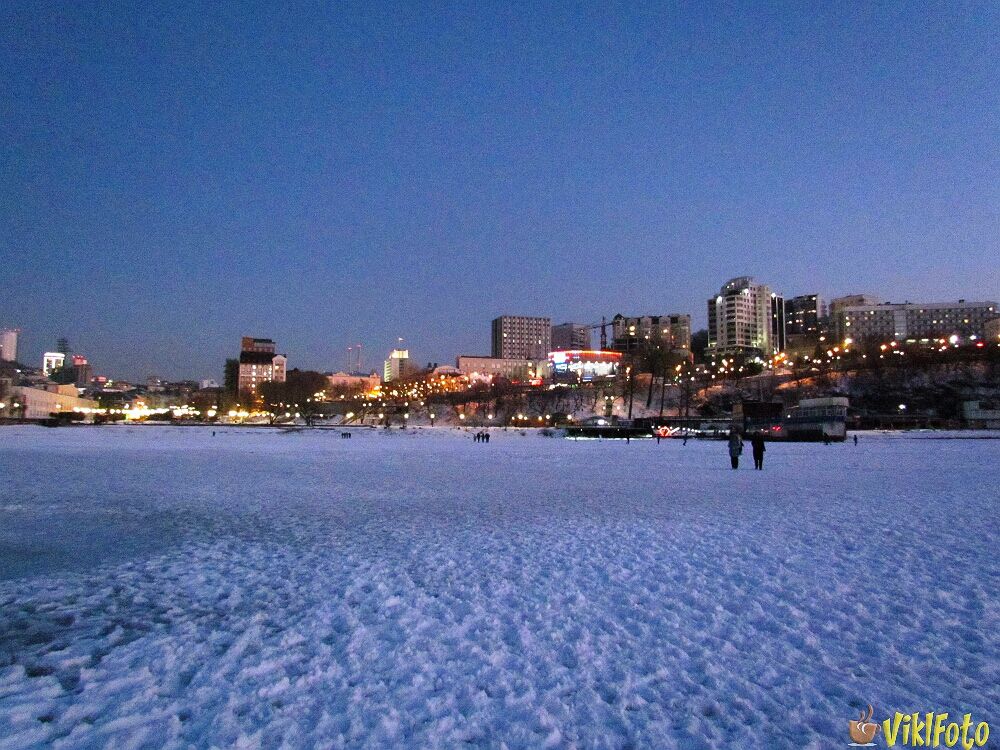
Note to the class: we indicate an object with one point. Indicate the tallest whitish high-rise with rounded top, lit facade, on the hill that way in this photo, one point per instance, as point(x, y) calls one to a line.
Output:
point(746, 317)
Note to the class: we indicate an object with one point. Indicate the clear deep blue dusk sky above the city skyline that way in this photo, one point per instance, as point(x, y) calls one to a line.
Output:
point(176, 175)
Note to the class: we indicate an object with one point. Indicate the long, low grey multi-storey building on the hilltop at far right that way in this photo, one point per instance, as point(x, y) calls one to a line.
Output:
point(886, 322)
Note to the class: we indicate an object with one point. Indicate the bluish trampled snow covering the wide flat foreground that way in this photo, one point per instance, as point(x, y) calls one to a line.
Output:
point(160, 587)
